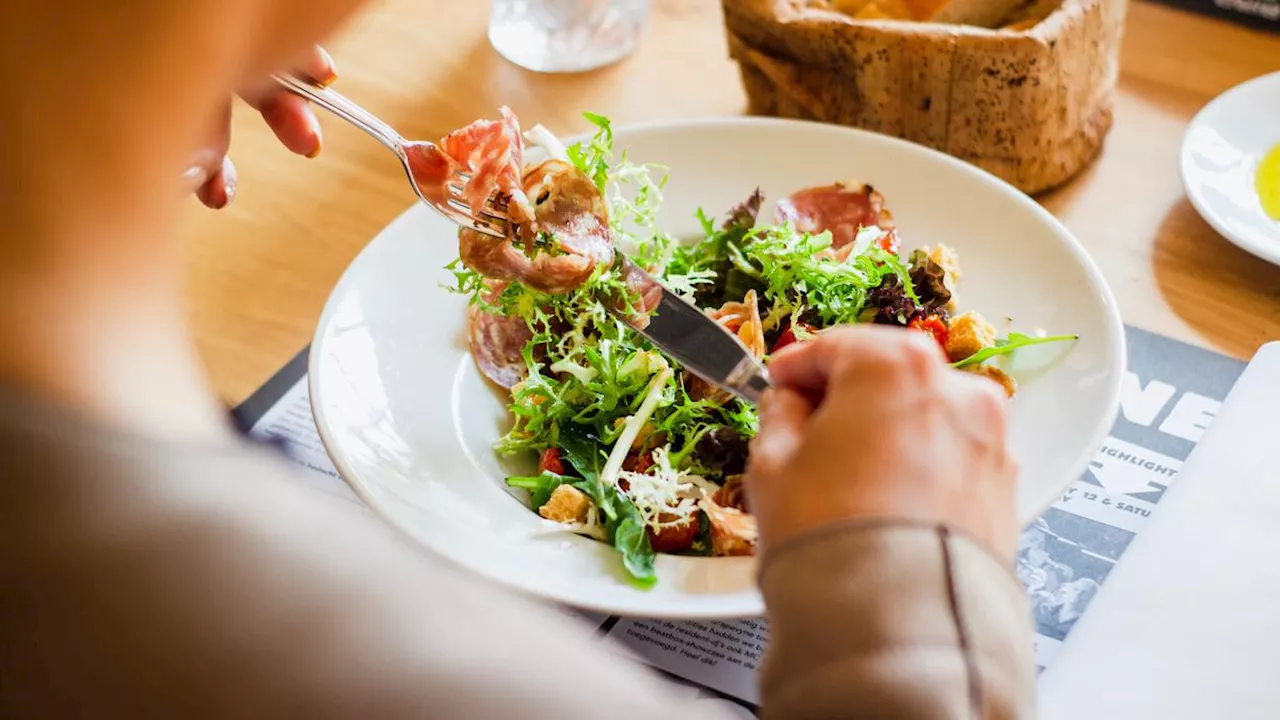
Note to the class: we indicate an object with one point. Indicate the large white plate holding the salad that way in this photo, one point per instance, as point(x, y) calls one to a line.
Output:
point(409, 421)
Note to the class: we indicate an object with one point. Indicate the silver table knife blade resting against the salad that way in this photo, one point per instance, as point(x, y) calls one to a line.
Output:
point(683, 331)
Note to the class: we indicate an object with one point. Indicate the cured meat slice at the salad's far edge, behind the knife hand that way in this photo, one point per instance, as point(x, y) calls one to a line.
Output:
point(840, 208)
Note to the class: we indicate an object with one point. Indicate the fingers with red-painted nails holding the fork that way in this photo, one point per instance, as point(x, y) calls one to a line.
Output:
point(212, 176)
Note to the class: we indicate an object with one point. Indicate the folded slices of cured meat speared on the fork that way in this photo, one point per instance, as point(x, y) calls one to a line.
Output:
point(559, 230)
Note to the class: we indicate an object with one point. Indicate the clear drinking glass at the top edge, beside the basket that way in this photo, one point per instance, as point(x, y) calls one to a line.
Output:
point(566, 37)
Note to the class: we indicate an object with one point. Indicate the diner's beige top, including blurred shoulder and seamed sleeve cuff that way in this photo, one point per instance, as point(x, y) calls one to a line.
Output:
point(149, 581)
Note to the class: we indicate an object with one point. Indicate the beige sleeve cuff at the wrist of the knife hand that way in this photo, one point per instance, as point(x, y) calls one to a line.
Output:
point(895, 622)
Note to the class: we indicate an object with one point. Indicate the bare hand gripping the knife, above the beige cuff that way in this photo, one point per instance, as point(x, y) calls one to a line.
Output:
point(870, 423)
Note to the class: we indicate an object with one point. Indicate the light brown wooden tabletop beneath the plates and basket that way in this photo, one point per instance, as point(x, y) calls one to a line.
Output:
point(262, 270)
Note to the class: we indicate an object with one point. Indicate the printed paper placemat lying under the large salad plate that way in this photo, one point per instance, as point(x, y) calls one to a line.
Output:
point(1172, 393)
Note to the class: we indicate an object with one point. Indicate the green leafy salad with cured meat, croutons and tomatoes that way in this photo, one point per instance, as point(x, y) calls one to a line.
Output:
point(632, 449)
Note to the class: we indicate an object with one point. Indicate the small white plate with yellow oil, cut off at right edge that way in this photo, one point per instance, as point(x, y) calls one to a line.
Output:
point(1222, 151)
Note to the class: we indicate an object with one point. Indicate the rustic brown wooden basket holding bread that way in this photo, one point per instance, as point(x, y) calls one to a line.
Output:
point(1031, 107)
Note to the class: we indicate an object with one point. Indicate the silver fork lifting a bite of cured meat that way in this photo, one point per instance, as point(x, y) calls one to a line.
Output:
point(491, 221)
